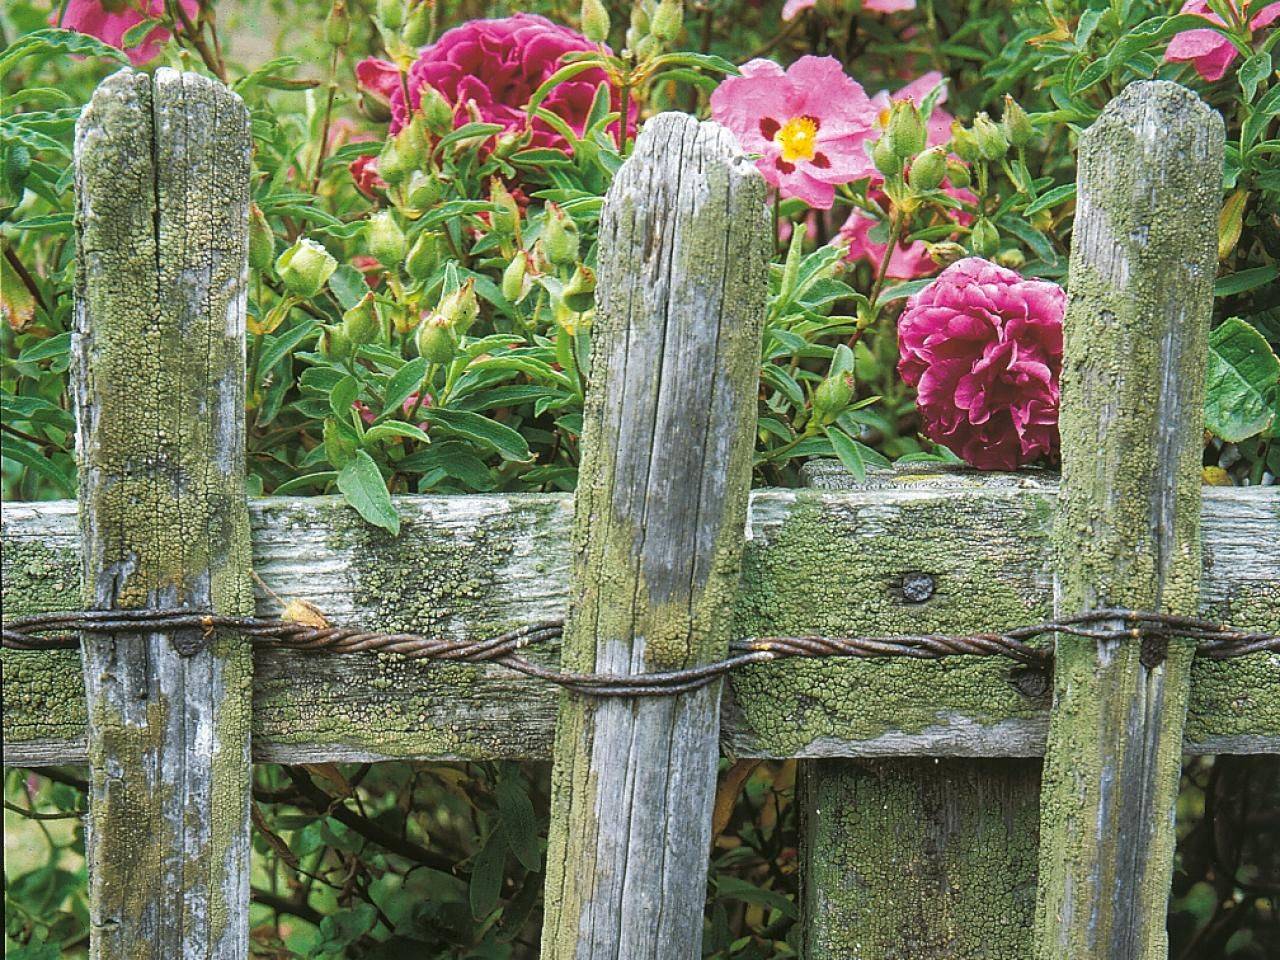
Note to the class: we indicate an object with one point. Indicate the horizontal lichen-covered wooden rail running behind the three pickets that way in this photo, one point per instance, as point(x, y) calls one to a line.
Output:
point(468, 566)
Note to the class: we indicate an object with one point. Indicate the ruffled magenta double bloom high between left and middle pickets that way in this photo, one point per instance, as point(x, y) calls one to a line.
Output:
point(496, 66)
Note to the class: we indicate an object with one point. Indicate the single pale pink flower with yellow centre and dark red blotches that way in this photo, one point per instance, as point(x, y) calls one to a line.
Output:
point(810, 122)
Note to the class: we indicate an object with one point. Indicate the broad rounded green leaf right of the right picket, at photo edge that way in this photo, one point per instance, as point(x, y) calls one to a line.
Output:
point(1242, 383)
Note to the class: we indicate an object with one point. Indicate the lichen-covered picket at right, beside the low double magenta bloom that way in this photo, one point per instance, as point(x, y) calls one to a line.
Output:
point(1144, 260)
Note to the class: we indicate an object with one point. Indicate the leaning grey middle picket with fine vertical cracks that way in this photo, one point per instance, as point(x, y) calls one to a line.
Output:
point(659, 537)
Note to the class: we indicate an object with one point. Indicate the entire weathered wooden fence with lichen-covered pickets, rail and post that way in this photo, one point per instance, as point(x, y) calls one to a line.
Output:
point(931, 829)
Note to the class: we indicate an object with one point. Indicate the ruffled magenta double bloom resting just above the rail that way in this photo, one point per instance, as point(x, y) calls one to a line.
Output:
point(984, 349)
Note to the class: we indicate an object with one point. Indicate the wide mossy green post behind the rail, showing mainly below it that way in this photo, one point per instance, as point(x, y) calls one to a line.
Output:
point(909, 860)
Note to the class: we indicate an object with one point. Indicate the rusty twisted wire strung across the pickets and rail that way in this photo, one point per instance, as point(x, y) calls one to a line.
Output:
point(52, 632)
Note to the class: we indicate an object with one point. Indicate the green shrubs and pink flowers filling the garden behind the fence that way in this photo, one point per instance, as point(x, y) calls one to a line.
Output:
point(420, 318)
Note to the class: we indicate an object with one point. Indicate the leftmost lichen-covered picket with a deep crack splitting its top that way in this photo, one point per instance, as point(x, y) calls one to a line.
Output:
point(163, 221)
